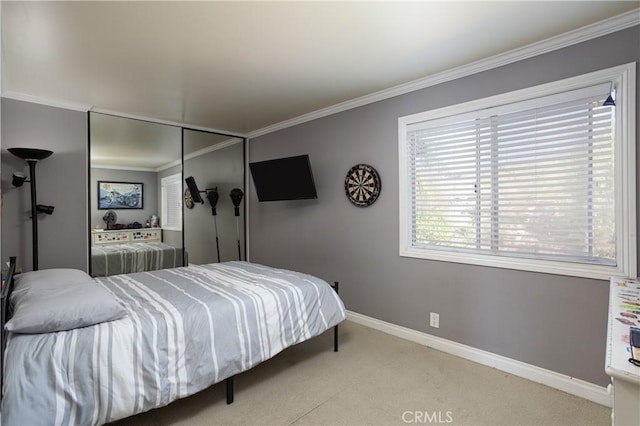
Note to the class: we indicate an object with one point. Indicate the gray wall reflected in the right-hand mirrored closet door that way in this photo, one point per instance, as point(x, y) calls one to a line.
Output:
point(223, 168)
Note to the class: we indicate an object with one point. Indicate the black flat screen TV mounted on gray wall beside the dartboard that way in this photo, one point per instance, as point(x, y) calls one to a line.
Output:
point(283, 179)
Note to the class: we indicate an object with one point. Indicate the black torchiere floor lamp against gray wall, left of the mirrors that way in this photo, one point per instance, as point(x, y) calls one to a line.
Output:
point(32, 156)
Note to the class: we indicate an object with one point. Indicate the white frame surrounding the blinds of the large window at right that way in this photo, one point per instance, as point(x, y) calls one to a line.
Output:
point(624, 80)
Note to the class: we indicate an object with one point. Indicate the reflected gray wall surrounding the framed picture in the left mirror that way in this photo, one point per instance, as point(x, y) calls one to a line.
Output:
point(150, 196)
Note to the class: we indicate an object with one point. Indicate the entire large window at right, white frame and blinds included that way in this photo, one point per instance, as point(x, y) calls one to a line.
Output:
point(542, 179)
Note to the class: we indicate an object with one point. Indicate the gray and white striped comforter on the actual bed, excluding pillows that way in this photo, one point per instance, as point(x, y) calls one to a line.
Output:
point(186, 329)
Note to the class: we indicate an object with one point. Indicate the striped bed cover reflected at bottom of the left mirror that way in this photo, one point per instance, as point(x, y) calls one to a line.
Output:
point(113, 259)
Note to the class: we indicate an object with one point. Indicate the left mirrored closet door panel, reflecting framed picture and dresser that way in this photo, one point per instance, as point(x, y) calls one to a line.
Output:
point(135, 208)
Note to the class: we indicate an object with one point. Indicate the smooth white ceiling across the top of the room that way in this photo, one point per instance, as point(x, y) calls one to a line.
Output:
point(243, 66)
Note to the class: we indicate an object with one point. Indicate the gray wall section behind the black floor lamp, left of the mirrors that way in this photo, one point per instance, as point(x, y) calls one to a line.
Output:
point(61, 182)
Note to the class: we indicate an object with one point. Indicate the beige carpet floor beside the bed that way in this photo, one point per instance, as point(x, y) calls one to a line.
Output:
point(376, 379)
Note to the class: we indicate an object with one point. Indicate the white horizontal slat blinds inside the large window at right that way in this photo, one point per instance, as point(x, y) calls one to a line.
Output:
point(531, 179)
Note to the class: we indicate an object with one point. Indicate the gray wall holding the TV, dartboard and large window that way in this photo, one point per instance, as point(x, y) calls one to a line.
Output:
point(555, 322)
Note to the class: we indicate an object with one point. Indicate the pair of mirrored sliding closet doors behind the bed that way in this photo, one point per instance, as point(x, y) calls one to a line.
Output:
point(142, 215)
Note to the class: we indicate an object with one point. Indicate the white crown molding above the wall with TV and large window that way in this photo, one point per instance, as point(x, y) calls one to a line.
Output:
point(599, 29)
